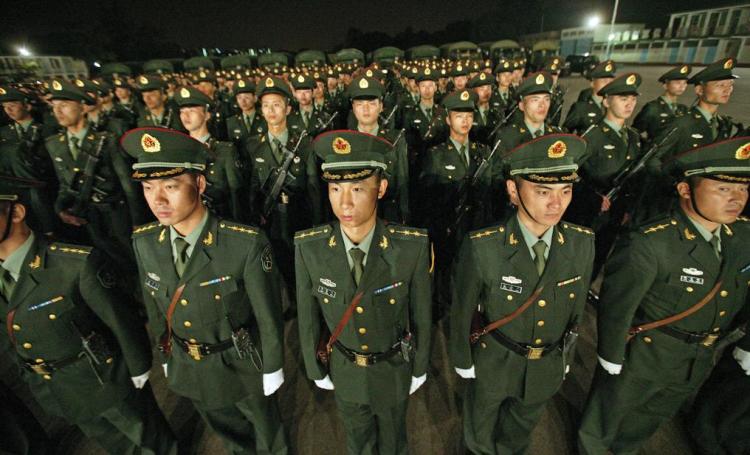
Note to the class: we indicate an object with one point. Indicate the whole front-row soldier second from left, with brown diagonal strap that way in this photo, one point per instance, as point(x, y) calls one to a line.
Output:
point(211, 291)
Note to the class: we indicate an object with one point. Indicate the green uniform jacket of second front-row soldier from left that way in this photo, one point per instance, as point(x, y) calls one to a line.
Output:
point(230, 273)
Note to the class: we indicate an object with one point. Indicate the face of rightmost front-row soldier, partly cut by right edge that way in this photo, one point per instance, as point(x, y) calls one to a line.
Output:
point(720, 202)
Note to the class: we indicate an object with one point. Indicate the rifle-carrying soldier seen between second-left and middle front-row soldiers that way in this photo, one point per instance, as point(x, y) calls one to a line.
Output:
point(297, 202)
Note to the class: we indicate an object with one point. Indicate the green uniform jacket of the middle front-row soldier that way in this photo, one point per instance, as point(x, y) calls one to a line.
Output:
point(325, 288)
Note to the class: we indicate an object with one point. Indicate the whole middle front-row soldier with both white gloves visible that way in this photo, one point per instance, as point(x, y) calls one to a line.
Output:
point(367, 283)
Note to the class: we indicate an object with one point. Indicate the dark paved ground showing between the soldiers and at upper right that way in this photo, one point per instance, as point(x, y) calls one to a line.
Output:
point(434, 417)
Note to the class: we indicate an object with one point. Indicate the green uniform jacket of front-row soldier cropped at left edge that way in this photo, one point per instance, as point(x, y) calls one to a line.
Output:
point(61, 286)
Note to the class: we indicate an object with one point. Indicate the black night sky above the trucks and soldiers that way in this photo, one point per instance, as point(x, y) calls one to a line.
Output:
point(147, 29)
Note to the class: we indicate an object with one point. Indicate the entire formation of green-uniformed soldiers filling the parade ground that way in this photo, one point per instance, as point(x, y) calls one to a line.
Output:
point(381, 200)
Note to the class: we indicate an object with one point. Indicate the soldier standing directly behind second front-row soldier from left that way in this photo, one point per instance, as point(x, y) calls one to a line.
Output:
point(226, 188)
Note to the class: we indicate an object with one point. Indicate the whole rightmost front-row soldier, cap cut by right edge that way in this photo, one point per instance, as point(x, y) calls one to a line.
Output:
point(670, 300)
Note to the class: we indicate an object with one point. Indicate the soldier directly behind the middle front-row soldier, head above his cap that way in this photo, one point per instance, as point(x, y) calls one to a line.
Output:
point(366, 95)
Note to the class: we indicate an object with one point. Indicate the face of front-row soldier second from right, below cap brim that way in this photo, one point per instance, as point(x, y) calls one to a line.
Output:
point(543, 204)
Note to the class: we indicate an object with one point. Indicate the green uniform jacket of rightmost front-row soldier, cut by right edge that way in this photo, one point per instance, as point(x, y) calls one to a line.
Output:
point(660, 270)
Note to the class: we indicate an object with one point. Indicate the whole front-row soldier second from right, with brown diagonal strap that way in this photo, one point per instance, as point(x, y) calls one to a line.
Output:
point(524, 282)
